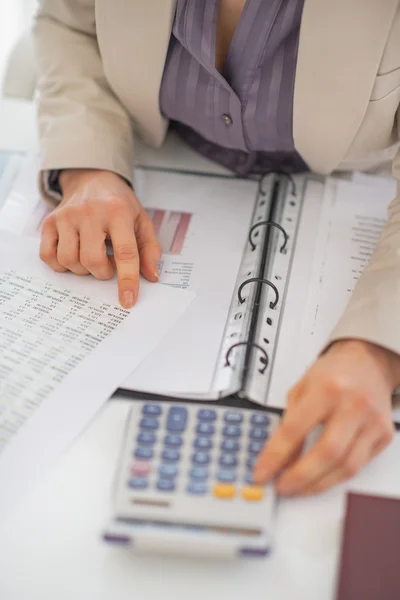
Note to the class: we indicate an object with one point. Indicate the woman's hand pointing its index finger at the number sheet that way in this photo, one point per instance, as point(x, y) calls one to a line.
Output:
point(97, 205)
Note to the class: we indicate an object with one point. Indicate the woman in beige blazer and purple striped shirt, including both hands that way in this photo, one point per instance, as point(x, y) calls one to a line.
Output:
point(258, 86)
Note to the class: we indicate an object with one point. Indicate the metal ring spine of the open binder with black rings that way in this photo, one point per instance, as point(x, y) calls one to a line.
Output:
point(247, 351)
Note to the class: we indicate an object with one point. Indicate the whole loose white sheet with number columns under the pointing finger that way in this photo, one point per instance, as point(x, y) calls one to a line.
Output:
point(65, 346)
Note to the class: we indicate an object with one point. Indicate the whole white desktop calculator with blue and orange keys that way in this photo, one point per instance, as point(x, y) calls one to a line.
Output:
point(184, 482)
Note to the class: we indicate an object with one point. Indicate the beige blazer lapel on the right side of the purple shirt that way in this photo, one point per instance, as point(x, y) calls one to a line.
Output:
point(341, 44)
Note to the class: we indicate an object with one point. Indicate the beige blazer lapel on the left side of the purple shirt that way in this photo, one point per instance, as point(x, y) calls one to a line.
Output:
point(133, 38)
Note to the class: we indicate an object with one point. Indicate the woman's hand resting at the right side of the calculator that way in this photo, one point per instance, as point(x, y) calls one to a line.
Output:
point(348, 390)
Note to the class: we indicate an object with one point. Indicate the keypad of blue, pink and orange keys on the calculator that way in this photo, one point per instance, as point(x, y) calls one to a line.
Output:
point(197, 451)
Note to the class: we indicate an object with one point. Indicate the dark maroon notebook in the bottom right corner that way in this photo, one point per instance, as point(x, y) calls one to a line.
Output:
point(370, 558)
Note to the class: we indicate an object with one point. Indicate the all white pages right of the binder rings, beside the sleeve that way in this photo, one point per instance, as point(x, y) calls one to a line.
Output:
point(337, 237)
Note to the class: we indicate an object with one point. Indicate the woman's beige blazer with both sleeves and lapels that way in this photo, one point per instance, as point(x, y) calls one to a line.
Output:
point(100, 67)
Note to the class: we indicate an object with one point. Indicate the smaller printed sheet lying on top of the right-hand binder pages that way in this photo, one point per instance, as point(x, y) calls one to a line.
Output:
point(351, 223)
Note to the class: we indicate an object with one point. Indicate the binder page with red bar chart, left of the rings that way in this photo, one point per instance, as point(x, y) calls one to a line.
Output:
point(202, 224)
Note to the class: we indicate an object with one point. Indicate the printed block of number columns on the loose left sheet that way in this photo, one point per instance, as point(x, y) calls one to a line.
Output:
point(46, 332)
